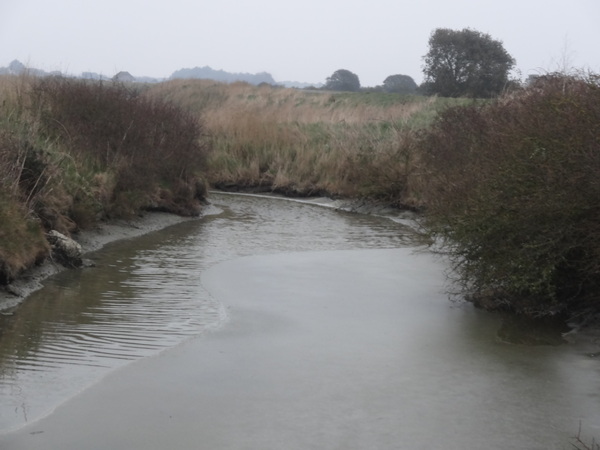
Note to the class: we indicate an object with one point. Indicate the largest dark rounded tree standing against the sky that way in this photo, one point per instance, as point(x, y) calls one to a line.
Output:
point(466, 63)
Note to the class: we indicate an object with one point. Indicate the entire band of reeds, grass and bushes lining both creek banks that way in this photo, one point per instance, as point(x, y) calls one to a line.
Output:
point(508, 186)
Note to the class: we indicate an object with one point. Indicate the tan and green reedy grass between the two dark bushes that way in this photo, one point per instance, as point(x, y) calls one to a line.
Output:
point(308, 142)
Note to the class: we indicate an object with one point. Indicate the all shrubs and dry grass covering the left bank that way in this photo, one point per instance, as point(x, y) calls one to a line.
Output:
point(74, 152)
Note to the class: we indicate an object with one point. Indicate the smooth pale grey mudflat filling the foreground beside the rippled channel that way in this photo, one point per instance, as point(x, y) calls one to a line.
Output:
point(333, 349)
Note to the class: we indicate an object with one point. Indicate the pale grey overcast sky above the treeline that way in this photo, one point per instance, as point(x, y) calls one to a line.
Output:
point(304, 40)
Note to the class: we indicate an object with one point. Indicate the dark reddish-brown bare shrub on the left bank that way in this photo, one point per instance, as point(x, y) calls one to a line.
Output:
point(147, 148)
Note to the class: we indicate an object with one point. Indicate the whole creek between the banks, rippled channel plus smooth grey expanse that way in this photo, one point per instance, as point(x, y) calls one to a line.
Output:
point(336, 314)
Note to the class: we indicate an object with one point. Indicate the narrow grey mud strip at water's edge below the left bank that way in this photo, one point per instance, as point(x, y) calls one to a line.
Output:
point(90, 240)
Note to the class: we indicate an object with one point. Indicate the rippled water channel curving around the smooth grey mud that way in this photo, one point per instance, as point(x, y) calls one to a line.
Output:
point(144, 295)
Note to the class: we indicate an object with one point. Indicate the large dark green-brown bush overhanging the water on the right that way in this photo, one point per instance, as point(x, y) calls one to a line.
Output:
point(512, 190)
